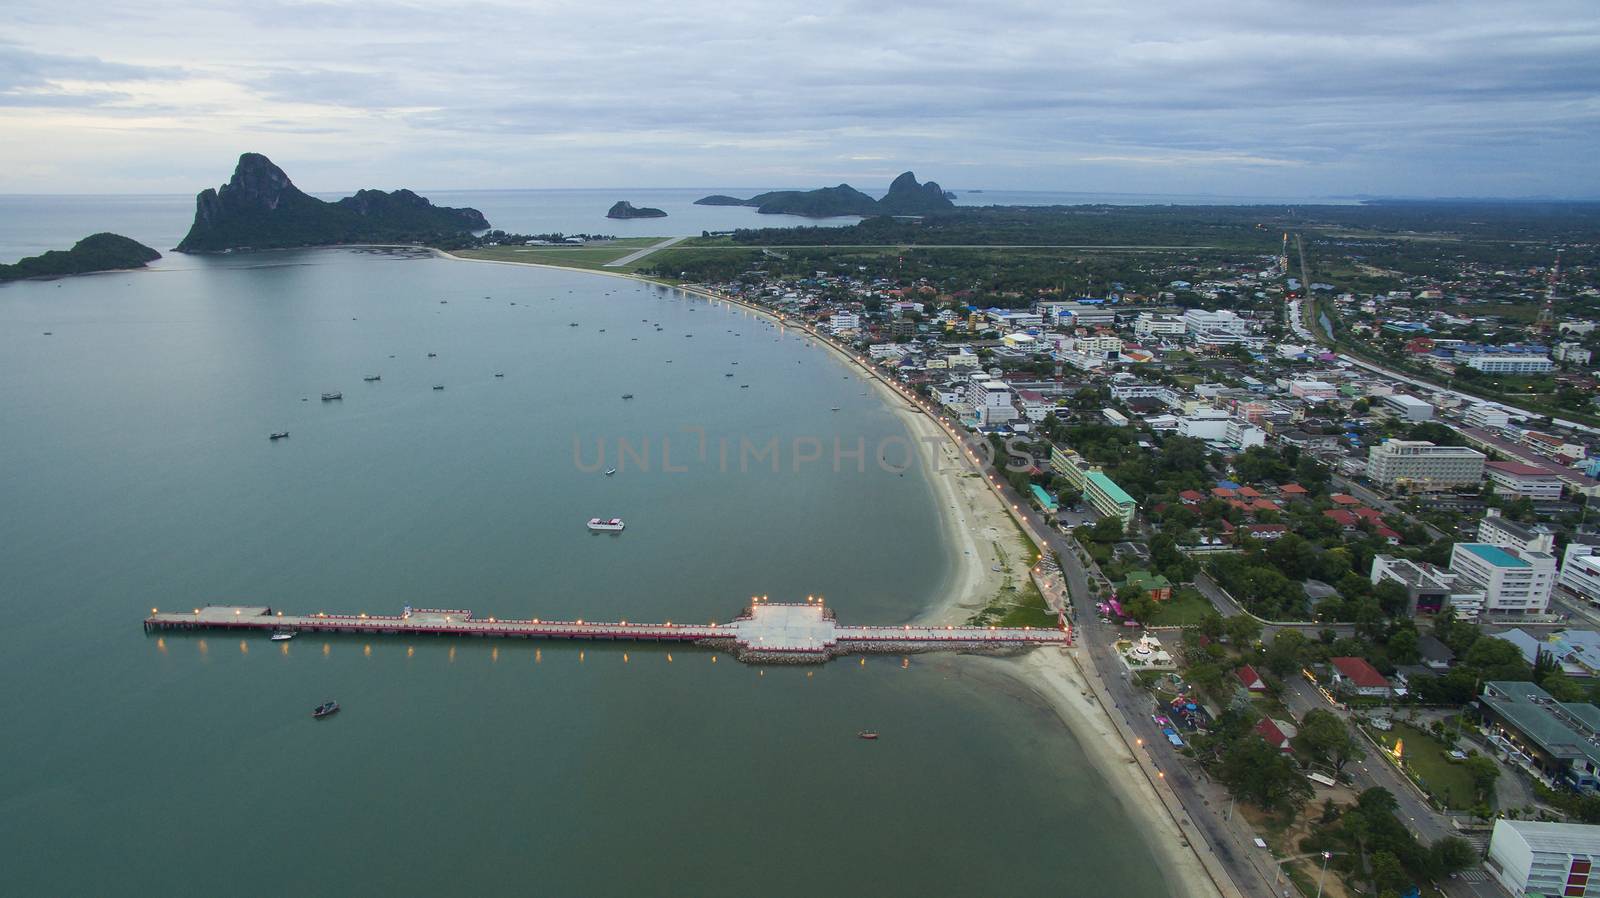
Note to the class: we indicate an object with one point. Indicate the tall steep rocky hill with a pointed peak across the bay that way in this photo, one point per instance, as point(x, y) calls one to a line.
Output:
point(262, 209)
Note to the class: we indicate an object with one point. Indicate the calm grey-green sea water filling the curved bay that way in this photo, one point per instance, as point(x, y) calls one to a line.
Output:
point(137, 475)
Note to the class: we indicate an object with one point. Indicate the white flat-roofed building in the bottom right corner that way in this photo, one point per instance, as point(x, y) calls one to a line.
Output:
point(1545, 859)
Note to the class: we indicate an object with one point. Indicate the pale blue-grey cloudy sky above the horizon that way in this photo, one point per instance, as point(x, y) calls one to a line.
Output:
point(1289, 98)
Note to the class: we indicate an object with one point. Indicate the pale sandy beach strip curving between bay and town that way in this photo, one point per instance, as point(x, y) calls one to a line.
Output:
point(967, 508)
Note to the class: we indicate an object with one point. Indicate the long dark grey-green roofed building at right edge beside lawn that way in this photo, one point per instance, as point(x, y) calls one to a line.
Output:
point(1558, 742)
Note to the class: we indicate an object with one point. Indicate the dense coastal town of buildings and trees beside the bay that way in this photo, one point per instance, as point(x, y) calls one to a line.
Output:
point(1330, 534)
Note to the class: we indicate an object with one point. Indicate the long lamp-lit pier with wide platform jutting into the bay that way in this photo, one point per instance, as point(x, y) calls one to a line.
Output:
point(764, 633)
